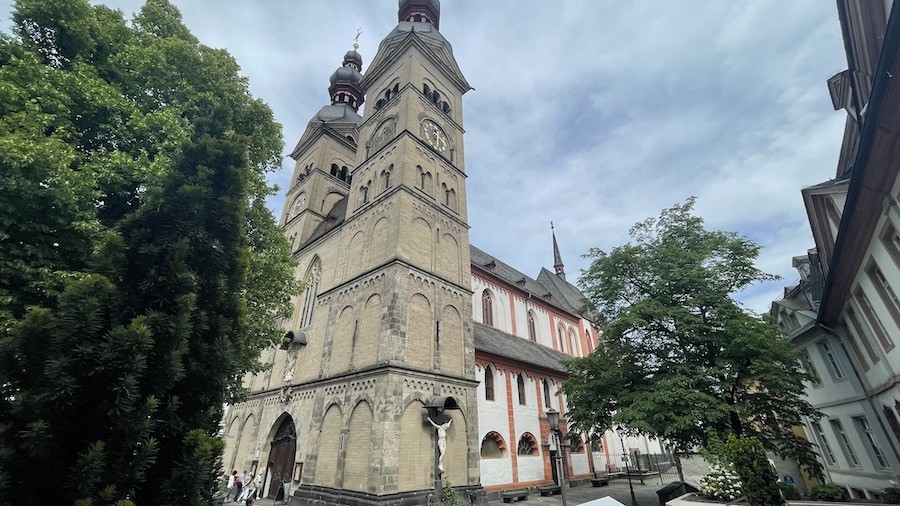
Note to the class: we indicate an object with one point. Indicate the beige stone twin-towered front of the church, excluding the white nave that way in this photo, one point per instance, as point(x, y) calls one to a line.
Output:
point(376, 214)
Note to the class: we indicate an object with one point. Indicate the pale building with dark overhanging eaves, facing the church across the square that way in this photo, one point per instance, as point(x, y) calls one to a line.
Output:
point(844, 315)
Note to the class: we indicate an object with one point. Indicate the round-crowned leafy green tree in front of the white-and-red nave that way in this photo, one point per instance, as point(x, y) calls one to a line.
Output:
point(680, 358)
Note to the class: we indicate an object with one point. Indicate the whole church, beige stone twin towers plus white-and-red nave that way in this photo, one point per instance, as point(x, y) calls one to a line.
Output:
point(400, 312)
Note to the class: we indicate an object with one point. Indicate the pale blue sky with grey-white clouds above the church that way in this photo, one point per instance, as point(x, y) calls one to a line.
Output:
point(593, 114)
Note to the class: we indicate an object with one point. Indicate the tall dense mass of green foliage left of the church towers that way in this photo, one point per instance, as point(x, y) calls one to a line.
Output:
point(140, 271)
